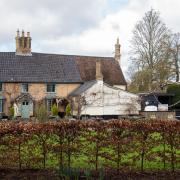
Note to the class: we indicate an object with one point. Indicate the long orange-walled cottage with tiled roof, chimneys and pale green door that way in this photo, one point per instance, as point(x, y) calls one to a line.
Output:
point(27, 78)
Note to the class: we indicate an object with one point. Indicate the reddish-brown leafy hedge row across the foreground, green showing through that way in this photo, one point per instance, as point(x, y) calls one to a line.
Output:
point(119, 144)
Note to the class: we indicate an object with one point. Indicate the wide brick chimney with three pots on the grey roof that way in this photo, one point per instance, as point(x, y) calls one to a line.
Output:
point(23, 44)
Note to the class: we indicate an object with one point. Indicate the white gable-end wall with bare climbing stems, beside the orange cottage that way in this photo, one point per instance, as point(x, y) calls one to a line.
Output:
point(104, 100)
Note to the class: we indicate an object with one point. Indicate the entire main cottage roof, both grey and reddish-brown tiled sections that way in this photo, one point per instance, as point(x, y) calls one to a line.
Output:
point(57, 68)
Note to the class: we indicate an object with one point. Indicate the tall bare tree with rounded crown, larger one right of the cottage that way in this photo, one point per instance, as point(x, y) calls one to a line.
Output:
point(150, 50)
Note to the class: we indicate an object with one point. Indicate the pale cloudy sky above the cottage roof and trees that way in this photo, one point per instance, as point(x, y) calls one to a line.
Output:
point(80, 27)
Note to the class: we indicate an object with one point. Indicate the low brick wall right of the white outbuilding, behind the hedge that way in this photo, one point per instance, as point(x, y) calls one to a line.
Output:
point(158, 114)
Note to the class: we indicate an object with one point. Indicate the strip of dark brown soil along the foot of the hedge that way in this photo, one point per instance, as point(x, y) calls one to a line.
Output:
point(36, 174)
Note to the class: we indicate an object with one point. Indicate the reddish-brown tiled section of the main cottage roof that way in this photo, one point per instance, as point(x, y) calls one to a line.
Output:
point(111, 70)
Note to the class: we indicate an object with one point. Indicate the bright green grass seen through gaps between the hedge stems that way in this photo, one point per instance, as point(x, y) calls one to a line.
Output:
point(32, 154)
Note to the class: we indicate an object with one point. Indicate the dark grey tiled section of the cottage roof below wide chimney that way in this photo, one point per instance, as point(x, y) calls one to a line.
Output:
point(38, 68)
